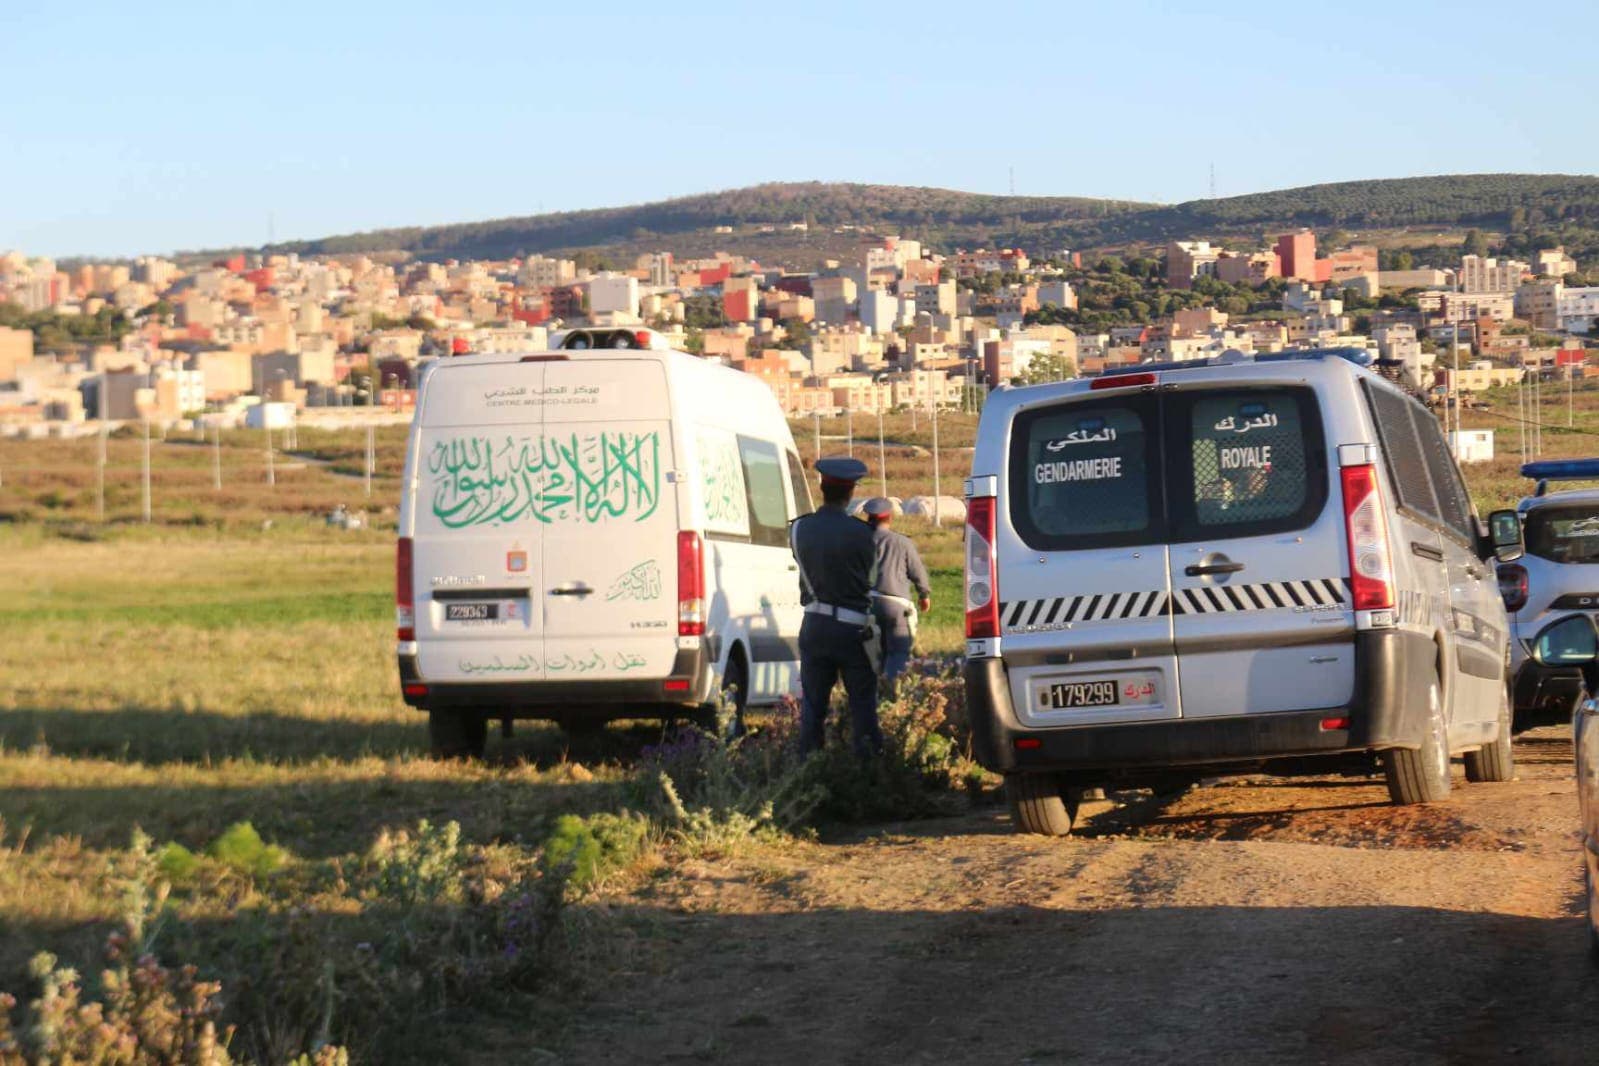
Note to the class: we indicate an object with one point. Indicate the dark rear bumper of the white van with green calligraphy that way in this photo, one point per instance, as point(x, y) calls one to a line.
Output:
point(559, 699)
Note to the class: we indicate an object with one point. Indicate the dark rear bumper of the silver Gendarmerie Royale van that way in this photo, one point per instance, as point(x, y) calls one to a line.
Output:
point(1392, 675)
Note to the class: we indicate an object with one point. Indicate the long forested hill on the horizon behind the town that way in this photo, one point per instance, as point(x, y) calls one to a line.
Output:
point(947, 220)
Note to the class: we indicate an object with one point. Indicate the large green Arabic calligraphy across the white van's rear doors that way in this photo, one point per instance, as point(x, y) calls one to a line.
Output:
point(578, 479)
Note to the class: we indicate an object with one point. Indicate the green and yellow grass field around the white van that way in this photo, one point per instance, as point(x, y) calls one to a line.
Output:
point(233, 662)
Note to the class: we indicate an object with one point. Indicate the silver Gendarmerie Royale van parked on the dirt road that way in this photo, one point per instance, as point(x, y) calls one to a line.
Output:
point(1218, 567)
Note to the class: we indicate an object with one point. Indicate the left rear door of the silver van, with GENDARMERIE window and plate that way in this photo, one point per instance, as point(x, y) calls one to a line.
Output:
point(1083, 565)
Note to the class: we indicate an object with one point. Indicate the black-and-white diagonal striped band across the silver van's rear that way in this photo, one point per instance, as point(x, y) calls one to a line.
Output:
point(1053, 615)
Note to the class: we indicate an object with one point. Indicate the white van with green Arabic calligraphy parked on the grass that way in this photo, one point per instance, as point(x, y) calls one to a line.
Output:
point(594, 535)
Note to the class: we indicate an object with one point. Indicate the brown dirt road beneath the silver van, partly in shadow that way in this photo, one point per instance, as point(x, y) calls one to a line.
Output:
point(1248, 923)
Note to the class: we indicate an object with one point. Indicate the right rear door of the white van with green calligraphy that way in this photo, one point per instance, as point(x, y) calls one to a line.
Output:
point(610, 520)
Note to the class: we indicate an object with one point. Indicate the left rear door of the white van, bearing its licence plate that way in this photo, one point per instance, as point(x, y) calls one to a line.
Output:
point(476, 523)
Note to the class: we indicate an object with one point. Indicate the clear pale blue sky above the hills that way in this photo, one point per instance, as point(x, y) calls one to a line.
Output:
point(146, 129)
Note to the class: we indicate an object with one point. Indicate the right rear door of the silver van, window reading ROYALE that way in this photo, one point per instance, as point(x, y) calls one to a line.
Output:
point(1262, 616)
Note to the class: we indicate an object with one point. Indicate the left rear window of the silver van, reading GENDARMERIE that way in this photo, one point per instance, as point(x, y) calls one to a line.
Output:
point(1087, 474)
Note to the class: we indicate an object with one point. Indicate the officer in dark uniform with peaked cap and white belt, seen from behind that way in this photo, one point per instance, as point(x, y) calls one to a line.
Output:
point(837, 555)
